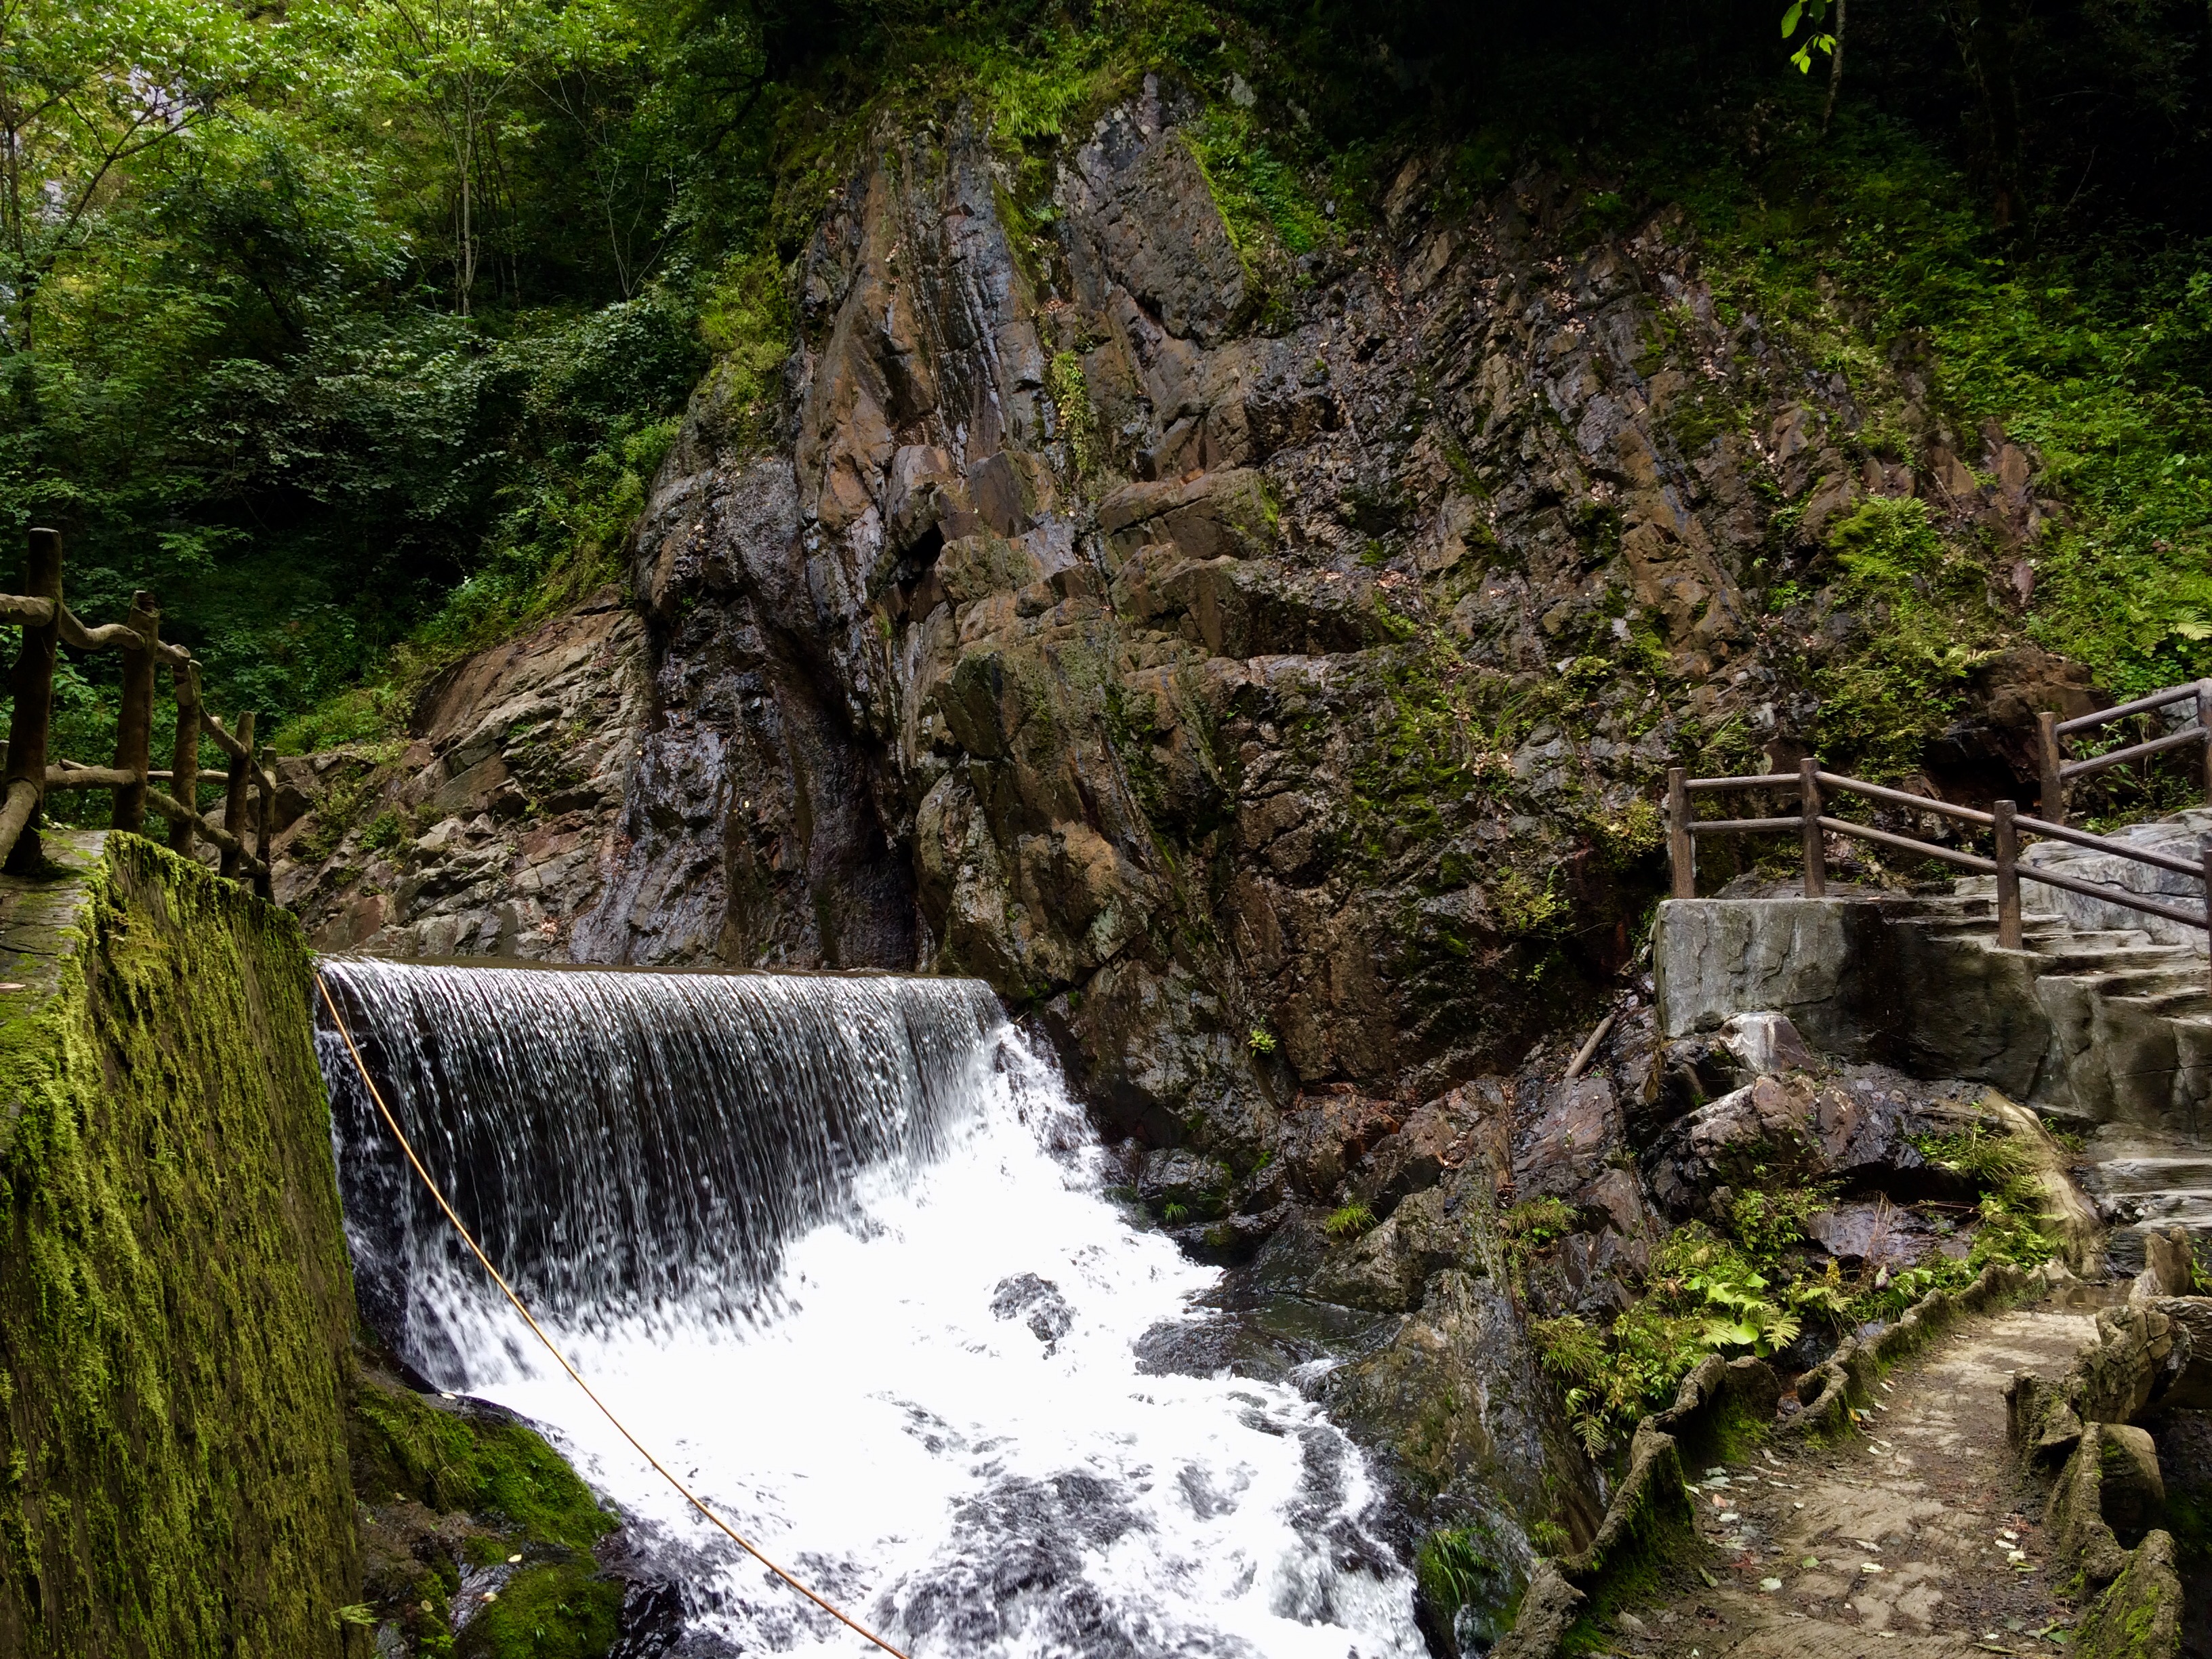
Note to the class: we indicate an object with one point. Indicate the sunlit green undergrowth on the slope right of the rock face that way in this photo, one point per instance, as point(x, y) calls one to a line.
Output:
point(2089, 353)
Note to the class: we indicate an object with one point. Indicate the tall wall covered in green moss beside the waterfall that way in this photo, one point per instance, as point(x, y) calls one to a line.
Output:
point(176, 1302)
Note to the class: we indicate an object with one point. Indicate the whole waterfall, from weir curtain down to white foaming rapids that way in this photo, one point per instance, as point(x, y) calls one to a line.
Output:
point(839, 1251)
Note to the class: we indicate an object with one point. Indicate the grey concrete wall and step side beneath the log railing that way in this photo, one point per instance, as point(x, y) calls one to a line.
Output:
point(1886, 979)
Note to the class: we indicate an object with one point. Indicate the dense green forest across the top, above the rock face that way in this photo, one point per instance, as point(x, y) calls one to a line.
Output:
point(357, 328)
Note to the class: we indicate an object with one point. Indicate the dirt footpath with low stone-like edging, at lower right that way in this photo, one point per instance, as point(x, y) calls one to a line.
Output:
point(1908, 1541)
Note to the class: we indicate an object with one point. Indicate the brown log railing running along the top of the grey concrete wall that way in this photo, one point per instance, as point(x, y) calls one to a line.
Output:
point(1811, 824)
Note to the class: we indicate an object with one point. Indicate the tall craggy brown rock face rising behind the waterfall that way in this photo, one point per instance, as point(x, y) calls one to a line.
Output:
point(1251, 665)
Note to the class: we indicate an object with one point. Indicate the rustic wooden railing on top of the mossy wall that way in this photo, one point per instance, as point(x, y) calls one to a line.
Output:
point(32, 775)
